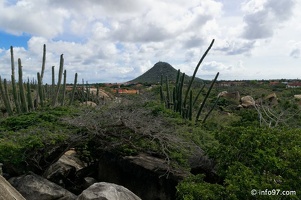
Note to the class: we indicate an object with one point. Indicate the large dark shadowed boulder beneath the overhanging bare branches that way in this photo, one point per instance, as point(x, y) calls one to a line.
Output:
point(147, 176)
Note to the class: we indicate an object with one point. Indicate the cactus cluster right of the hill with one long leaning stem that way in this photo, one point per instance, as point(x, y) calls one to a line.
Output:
point(185, 104)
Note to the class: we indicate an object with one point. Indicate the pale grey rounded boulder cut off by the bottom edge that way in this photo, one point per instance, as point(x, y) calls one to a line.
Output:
point(107, 191)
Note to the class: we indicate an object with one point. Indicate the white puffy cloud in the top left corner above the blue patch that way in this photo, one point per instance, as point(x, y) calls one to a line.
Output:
point(30, 17)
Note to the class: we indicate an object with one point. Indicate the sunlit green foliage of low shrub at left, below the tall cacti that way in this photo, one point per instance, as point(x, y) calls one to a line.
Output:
point(21, 136)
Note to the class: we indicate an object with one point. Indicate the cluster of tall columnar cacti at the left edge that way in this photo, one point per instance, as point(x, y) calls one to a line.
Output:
point(22, 99)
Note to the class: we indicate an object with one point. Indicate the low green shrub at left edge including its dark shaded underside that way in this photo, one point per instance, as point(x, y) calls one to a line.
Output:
point(31, 141)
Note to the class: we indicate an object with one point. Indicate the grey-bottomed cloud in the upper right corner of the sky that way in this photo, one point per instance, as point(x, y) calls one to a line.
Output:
point(263, 17)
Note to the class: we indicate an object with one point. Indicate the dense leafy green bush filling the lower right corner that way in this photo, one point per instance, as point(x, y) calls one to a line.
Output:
point(252, 158)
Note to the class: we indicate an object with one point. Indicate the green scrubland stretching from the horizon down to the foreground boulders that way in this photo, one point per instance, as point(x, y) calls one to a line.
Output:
point(231, 151)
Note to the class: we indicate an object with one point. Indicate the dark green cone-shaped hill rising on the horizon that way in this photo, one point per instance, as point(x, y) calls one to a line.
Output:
point(153, 75)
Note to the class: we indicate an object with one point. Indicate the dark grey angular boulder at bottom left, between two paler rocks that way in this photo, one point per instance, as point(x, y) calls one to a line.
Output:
point(34, 187)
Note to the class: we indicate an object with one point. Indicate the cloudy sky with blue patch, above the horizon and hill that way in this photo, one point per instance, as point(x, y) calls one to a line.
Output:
point(116, 41)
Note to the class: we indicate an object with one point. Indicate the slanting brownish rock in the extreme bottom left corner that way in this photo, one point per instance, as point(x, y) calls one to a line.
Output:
point(8, 192)
